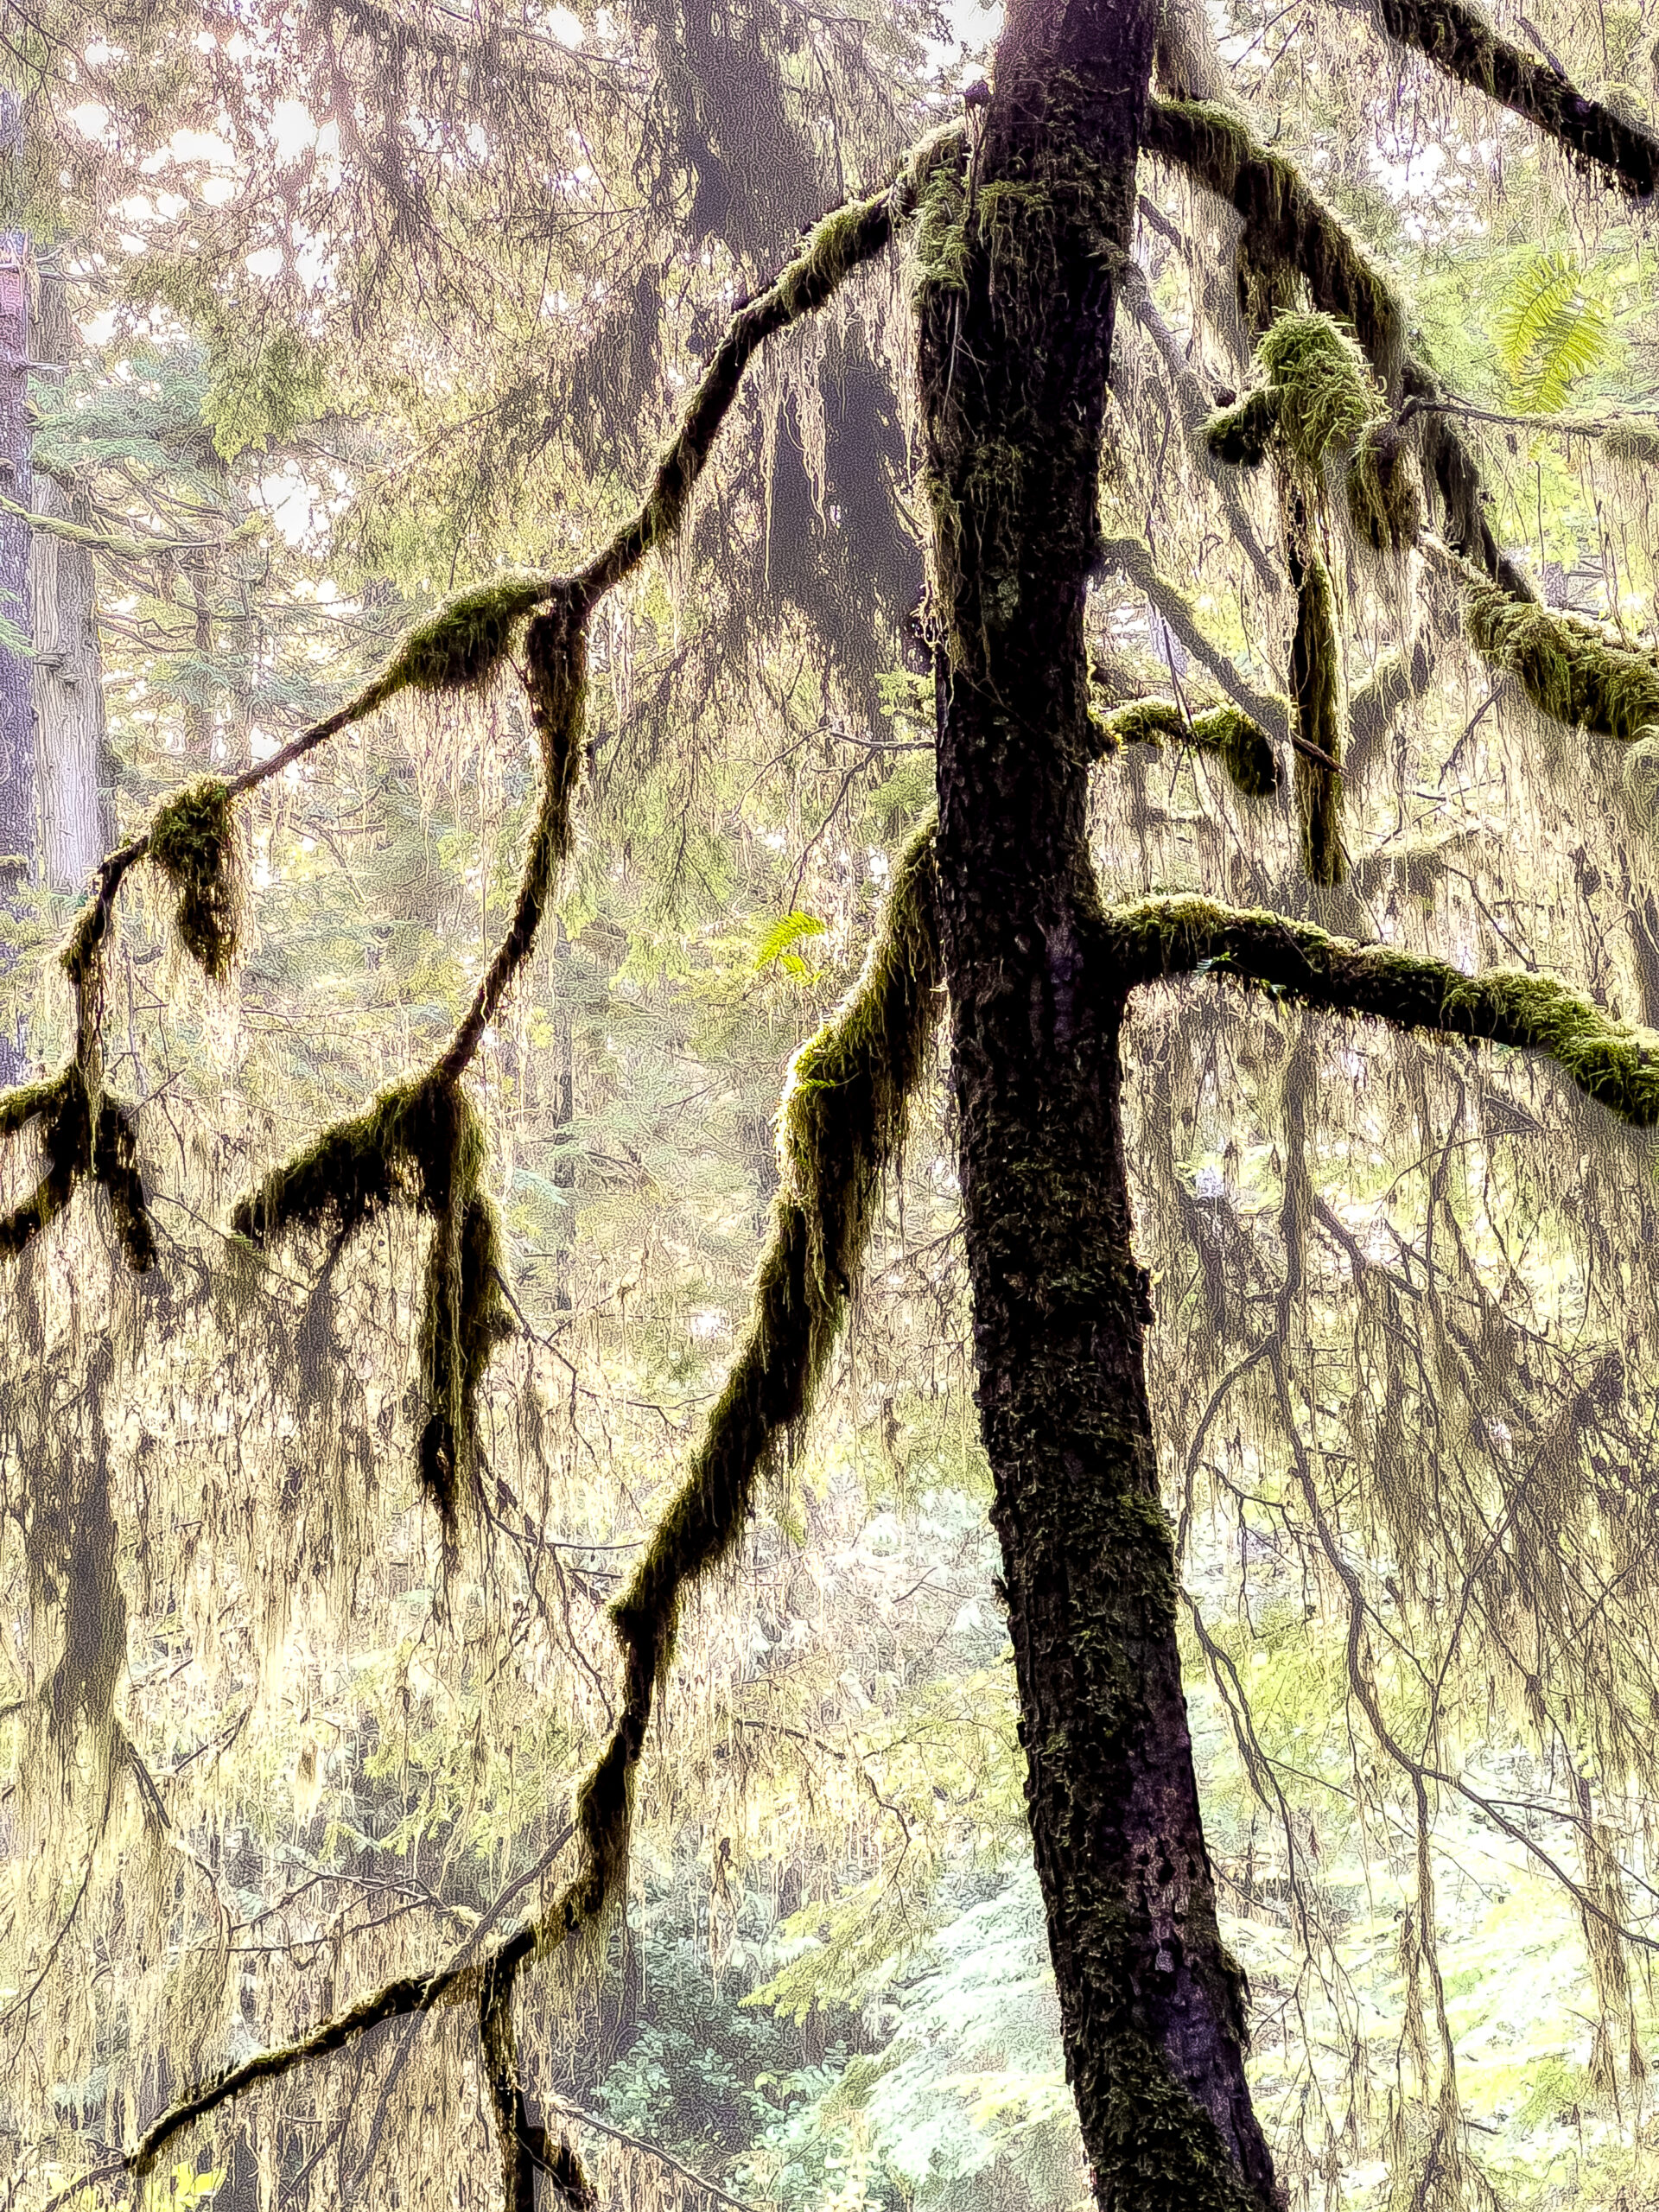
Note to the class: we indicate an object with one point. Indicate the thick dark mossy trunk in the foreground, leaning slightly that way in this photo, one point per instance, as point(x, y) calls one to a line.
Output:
point(1016, 315)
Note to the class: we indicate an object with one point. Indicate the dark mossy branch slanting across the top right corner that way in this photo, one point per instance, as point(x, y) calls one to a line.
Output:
point(1457, 39)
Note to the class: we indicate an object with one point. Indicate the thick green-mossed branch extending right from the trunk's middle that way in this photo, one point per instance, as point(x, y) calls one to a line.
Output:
point(1534, 1014)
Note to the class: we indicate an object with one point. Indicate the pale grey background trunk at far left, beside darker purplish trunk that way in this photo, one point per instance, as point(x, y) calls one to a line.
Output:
point(76, 828)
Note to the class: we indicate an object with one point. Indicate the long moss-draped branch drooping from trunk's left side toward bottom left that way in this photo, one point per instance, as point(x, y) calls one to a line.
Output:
point(842, 1127)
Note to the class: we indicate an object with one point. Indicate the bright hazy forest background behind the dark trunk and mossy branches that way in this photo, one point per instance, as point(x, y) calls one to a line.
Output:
point(335, 306)
